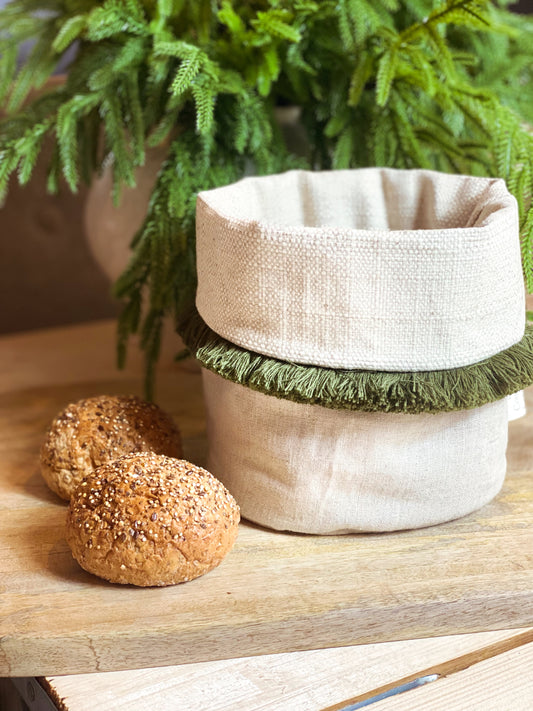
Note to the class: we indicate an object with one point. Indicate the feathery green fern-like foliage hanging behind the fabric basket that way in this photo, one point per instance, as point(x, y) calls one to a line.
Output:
point(378, 82)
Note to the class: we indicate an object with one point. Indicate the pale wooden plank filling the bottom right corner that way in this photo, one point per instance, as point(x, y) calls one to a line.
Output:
point(502, 682)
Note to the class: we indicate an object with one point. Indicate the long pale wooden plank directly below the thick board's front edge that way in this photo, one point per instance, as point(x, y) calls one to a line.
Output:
point(301, 681)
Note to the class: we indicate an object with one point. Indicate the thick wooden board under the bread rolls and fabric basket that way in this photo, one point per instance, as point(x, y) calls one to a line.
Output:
point(274, 592)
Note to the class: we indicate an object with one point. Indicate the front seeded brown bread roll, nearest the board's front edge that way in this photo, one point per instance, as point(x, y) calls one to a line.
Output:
point(147, 519)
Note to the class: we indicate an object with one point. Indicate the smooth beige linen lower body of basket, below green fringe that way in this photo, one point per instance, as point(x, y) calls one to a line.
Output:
point(310, 469)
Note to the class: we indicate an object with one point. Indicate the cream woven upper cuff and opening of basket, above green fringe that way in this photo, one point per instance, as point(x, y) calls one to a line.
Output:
point(378, 269)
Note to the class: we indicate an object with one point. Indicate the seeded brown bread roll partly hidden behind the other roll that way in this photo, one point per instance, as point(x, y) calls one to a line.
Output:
point(98, 430)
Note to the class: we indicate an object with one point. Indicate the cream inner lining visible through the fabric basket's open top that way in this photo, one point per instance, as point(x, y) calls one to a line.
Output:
point(374, 199)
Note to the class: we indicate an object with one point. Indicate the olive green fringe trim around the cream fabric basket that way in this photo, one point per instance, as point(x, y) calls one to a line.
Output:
point(369, 391)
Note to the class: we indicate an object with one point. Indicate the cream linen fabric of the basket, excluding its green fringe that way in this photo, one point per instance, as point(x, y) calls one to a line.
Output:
point(372, 270)
